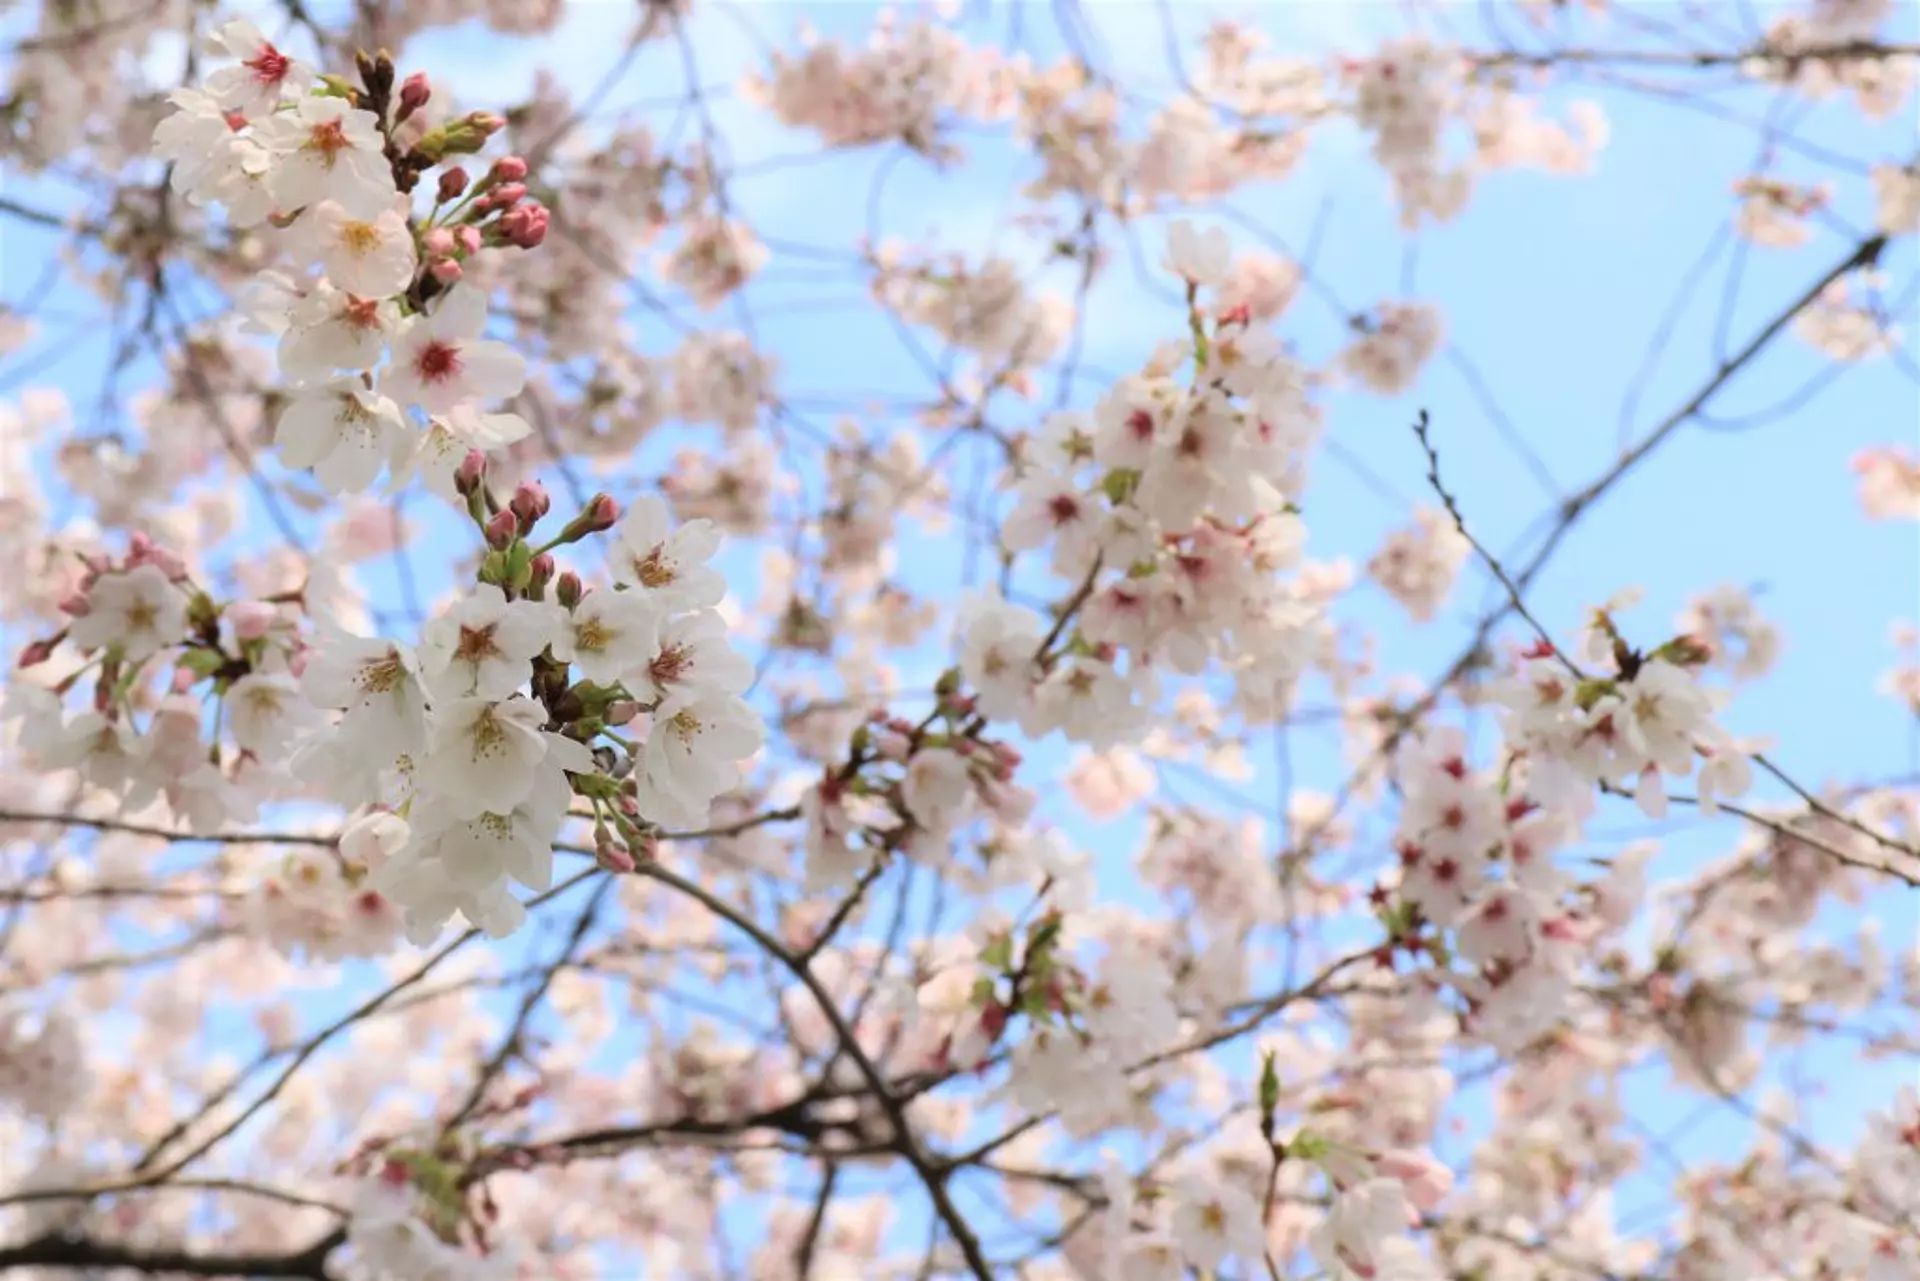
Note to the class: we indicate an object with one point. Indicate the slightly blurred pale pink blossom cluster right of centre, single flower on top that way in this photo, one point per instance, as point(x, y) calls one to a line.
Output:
point(1172, 504)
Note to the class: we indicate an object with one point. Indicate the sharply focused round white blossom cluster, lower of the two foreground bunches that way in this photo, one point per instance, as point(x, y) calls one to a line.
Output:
point(487, 731)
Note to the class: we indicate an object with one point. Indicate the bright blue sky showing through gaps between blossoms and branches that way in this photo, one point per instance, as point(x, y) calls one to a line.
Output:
point(1552, 291)
